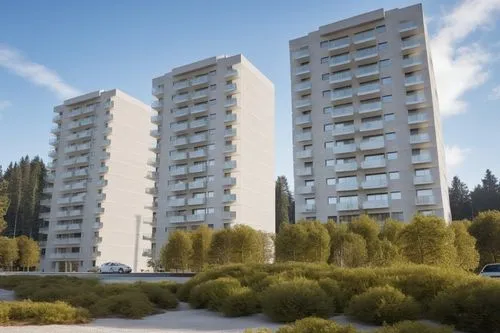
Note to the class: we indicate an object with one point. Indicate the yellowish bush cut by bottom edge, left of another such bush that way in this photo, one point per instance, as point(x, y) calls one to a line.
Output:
point(316, 325)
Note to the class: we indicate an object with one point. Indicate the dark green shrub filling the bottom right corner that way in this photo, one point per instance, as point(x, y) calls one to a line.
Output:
point(474, 307)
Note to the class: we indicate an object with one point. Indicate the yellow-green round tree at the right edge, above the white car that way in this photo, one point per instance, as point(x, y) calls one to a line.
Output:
point(486, 229)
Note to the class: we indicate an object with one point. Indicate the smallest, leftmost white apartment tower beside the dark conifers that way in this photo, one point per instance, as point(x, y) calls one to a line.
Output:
point(96, 191)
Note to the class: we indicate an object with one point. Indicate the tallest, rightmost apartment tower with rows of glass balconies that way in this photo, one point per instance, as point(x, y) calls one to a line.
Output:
point(367, 133)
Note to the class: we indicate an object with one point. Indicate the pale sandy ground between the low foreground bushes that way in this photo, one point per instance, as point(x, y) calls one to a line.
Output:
point(183, 320)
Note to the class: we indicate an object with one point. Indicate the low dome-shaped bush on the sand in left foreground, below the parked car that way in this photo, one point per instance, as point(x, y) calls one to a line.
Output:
point(129, 305)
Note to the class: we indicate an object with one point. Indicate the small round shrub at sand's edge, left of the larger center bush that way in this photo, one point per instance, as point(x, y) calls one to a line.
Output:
point(241, 302)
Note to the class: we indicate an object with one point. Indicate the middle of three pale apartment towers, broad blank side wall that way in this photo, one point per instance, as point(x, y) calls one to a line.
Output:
point(214, 148)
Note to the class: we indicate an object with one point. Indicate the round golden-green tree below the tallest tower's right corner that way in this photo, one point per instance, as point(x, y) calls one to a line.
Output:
point(427, 240)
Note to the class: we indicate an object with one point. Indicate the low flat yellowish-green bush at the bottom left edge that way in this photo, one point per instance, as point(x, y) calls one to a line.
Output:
point(27, 312)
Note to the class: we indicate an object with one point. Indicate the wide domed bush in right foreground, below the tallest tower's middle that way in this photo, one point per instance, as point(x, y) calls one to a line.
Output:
point(380, 305)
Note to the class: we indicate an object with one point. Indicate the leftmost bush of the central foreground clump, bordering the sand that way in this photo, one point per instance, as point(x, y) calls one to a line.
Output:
point(211, 294)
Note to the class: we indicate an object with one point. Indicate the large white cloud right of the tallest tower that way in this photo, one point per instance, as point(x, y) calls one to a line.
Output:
point(461, 66)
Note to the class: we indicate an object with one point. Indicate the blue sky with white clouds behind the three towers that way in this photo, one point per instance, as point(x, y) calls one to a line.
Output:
point(50, 50)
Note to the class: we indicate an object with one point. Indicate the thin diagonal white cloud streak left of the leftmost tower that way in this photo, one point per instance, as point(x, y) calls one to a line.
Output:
point(38, 74)
